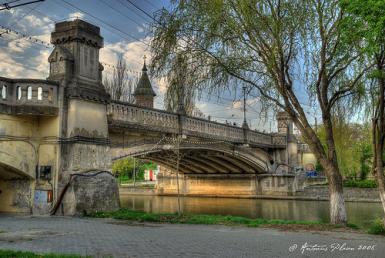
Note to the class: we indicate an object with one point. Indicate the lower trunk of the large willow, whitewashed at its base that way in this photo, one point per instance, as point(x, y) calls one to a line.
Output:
point(336, 196)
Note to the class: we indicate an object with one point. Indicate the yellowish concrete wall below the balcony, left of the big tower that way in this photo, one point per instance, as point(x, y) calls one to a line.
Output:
point(19, 158)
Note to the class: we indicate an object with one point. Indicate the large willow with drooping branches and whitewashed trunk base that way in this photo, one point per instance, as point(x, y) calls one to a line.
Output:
point(270, 45)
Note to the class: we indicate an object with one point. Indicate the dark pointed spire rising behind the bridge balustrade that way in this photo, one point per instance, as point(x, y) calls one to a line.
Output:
point(144, 94)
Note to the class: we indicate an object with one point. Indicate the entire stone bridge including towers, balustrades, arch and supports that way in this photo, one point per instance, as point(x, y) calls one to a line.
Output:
point(53, 130)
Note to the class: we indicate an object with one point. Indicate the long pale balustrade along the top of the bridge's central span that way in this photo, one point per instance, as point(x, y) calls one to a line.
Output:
point(126, 115)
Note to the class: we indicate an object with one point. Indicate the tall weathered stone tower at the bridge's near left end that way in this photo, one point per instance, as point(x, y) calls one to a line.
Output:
point(75, 63)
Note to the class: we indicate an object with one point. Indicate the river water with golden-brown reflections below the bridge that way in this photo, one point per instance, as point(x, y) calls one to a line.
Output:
point(359, 213)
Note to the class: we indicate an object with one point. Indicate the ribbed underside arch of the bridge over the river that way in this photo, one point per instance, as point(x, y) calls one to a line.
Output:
point(202, 158)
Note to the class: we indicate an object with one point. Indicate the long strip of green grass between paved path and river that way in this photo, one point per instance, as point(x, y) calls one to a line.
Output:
point(126, 214)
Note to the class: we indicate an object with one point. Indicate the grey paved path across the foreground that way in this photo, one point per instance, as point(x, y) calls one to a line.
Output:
point(105, 237)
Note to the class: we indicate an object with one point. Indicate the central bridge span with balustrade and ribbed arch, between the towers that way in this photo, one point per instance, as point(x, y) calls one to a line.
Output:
point(205, 146)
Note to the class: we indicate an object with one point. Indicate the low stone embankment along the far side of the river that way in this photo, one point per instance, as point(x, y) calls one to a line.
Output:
point(311, 193)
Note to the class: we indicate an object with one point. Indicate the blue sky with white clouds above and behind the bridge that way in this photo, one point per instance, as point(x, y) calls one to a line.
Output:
point(126, 32)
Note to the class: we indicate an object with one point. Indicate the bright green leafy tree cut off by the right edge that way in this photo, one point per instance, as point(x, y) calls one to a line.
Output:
point(366, 20)
